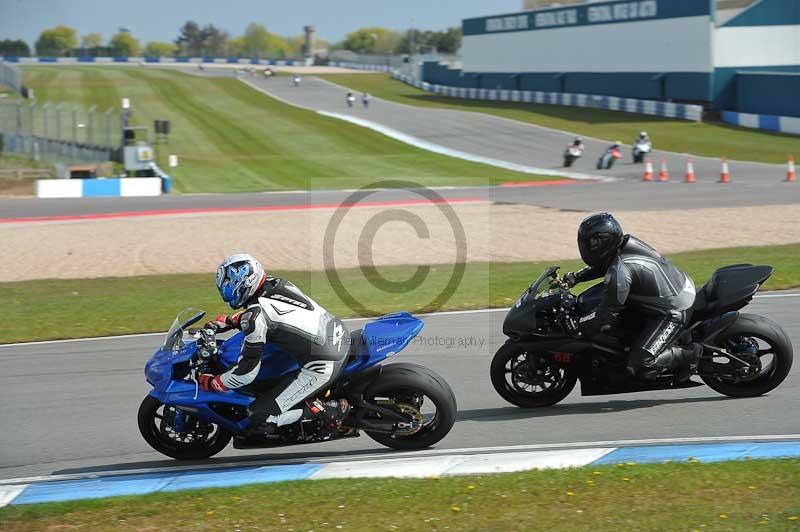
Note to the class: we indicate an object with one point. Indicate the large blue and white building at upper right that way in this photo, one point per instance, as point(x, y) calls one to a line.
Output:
point(739, 55)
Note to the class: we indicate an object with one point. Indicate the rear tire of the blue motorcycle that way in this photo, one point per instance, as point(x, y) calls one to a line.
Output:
point(402, 380)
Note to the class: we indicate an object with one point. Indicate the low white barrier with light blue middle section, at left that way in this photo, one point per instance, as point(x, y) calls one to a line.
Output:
point(90, 188)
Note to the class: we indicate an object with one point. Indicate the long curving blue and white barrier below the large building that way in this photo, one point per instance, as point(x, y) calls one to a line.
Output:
point(612, 103)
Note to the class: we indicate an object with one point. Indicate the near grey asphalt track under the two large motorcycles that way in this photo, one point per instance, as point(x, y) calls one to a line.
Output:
point(70, 407)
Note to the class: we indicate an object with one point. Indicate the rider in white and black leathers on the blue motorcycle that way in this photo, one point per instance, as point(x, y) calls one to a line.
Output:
point(276, 311)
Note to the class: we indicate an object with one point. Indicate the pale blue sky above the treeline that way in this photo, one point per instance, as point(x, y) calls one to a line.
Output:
point(159, 20)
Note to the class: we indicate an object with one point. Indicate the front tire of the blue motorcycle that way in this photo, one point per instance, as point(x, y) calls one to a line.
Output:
point(148, 419)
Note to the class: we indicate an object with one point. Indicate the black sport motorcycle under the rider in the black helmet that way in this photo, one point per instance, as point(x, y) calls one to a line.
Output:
point(745, 355)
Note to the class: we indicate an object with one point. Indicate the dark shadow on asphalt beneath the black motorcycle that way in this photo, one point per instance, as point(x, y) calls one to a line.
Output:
point(510, 413)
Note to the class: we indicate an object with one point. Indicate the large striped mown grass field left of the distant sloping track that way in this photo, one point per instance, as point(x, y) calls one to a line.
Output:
point(231, 138)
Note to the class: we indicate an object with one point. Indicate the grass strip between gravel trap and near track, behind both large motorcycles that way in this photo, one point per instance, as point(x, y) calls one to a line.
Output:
point(55, 309)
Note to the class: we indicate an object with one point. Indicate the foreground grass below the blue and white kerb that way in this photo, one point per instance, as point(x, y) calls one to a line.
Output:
point(744, 495)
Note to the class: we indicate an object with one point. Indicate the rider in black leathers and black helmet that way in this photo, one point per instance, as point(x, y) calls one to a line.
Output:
point(637, 278)
